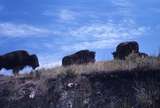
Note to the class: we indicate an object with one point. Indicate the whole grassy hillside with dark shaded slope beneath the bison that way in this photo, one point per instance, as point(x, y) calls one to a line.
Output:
point(133, 83)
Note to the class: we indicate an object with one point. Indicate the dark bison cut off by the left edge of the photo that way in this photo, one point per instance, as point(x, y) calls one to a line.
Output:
point(17, 60)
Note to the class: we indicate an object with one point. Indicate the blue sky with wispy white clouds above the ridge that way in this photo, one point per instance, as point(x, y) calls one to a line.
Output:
point(55, 28)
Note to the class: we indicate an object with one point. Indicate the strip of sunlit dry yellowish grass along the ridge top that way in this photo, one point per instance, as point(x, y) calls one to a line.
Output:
point(132, 62)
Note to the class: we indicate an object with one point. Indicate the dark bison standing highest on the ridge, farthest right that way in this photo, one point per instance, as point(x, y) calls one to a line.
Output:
point(125, 48)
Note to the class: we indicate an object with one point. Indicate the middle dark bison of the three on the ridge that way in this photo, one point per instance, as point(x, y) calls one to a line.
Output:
point(80, 57)
